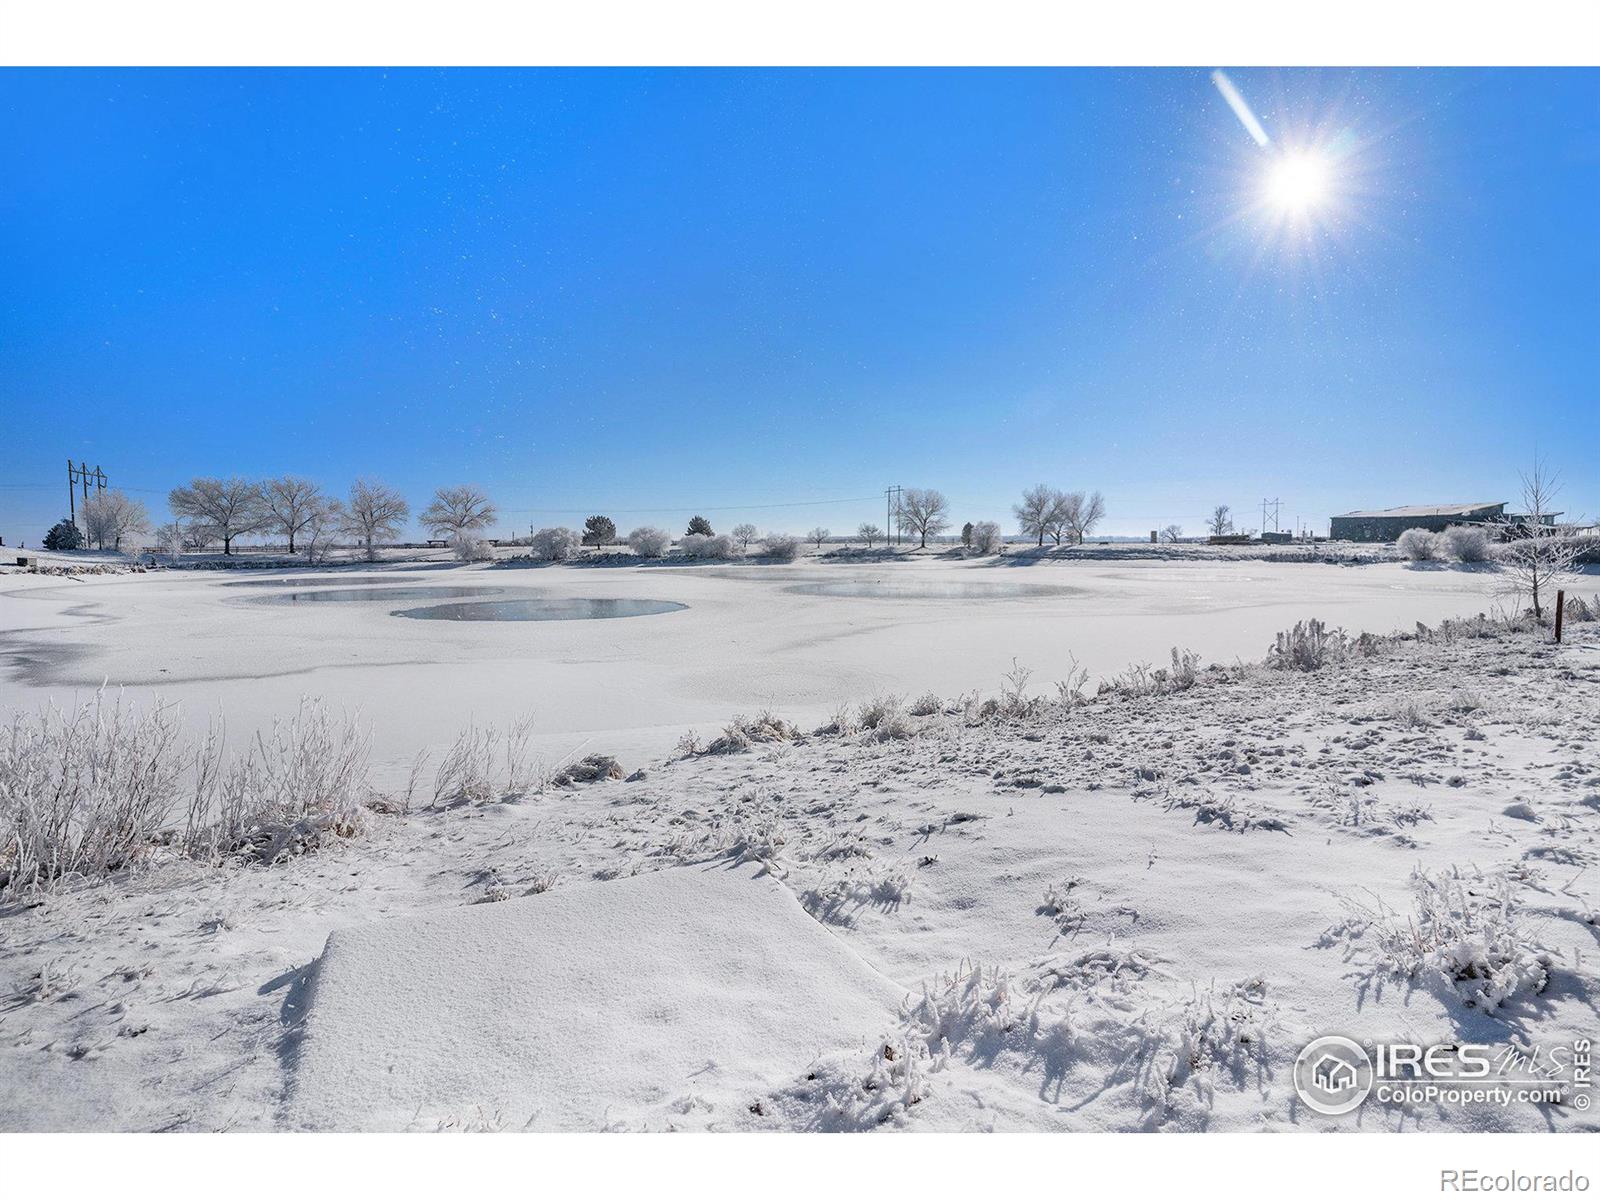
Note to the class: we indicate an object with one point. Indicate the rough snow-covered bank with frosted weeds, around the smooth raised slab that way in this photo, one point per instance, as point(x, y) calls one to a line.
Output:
point(1119, 914)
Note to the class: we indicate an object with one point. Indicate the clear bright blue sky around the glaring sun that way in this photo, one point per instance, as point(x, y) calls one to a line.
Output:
point(658, 292)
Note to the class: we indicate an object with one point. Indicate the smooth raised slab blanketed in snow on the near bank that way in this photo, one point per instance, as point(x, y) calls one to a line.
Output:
point(671, 999)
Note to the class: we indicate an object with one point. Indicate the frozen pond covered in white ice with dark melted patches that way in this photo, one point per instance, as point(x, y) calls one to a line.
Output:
point(743, 644)
